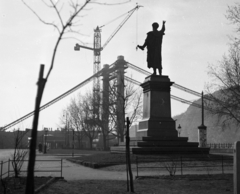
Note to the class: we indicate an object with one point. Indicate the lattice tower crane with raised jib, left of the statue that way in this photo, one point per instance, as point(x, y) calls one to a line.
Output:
point(97, 50)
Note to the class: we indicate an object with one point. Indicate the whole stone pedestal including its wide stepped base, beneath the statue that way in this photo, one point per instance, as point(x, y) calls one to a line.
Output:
point(157, 132)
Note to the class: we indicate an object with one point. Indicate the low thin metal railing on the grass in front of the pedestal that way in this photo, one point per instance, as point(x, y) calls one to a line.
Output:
point(187, 164)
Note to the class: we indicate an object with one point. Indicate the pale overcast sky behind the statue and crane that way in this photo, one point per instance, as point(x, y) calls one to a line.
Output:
point(196, 36)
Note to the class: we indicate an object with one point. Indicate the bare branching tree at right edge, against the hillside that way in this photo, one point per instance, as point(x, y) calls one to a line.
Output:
point(223, 96)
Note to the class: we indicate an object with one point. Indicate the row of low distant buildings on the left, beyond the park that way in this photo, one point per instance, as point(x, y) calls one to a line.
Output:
point(58, 139)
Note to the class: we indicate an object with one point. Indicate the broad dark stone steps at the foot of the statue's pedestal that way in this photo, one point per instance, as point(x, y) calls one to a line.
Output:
point(161, 145)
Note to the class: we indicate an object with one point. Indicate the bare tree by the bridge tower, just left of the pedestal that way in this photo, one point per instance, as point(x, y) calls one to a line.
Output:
point(113, 112)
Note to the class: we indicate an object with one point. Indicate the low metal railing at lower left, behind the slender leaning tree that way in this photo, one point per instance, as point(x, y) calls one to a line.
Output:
point(7, 169)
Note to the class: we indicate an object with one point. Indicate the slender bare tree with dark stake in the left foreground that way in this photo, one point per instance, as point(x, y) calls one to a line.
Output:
point(62, 28)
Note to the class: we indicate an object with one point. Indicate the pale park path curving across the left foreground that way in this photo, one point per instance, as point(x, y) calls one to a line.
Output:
point(71, 171)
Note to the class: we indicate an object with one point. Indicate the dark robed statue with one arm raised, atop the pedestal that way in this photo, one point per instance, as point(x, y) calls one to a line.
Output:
point(154, 47)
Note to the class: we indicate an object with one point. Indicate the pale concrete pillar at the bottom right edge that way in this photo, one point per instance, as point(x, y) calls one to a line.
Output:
point(236, 168)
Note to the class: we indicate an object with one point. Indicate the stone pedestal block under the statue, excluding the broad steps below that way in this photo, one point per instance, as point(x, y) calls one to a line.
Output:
point(157, 120)
